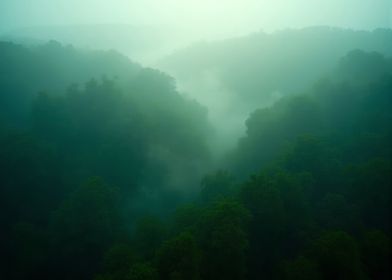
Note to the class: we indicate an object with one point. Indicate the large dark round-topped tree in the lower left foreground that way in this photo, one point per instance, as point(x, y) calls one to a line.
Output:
point(83, 227)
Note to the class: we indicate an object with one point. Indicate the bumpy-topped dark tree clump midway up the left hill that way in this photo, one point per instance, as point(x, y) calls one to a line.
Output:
point(92, 129)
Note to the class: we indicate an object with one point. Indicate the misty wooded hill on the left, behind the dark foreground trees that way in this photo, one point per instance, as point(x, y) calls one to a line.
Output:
point(67, 115)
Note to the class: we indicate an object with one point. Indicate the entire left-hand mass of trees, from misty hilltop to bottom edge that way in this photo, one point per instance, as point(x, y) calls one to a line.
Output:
point(133, 129)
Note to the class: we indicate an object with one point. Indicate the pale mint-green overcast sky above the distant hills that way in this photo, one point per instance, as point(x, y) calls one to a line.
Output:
point(225, 16)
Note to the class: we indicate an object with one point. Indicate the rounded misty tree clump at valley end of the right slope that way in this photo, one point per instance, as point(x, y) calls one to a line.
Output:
point(270, 130)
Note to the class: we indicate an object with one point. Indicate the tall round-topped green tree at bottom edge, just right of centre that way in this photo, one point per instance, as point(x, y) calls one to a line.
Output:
point(223, 238)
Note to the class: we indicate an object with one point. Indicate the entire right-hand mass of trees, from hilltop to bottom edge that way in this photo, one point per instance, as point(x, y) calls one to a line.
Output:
point(318, 203)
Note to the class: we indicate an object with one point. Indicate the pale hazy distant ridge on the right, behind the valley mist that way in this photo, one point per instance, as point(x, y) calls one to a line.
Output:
point(253, 69)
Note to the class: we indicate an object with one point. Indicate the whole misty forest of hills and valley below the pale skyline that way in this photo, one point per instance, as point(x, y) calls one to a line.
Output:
point(112, 170)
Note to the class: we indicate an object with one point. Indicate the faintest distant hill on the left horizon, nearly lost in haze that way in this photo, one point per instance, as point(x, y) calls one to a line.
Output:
point(141, 42)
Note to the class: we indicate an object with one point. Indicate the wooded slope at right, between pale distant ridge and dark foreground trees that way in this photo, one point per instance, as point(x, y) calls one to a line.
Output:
point(350, 108)
